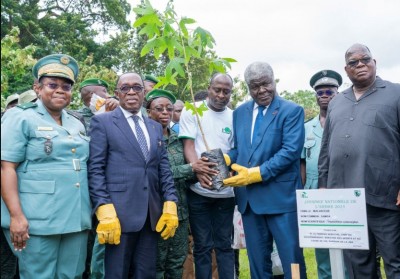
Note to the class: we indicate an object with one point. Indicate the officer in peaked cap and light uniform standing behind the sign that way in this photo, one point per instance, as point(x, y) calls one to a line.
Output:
point(325, 83)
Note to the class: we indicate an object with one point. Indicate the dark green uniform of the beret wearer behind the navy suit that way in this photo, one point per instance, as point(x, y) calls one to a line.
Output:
point(172, 252)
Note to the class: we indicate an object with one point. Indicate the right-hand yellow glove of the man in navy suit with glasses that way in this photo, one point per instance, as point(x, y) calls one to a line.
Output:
point(168, 221)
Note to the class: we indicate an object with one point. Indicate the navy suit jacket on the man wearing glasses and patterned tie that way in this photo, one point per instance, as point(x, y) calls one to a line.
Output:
point(119, 173)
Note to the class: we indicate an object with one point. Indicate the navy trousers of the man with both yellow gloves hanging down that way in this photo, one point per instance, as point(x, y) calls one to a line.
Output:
point(134, 257)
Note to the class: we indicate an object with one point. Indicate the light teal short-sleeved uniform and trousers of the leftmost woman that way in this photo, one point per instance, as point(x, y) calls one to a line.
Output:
point(52, 186)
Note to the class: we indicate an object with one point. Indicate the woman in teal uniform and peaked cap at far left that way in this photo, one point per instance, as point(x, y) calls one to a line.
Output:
point(45, 205)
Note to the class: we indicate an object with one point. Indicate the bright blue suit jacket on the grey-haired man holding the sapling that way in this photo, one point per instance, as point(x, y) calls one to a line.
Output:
point(276, 151)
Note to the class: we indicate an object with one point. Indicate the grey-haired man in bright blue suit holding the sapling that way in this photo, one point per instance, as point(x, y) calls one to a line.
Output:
point(267, 161)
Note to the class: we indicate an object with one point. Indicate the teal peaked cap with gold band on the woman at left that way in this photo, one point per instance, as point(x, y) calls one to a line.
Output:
point(56, 65)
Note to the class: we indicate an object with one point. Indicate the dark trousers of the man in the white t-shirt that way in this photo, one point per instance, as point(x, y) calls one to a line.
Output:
point(211, 223)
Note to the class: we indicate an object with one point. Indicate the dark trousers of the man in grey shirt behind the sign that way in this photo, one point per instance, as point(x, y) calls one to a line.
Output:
point(384, 233)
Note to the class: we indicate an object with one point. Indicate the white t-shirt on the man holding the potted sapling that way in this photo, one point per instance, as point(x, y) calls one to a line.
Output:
point(218, 131)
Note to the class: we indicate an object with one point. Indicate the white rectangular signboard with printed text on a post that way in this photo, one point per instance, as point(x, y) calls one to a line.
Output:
point(332, 218)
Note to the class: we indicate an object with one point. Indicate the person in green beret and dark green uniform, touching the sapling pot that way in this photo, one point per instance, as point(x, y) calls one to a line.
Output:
point(172, 252)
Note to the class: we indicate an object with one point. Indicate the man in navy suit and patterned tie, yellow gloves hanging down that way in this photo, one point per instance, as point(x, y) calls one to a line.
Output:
point(129, 180)
